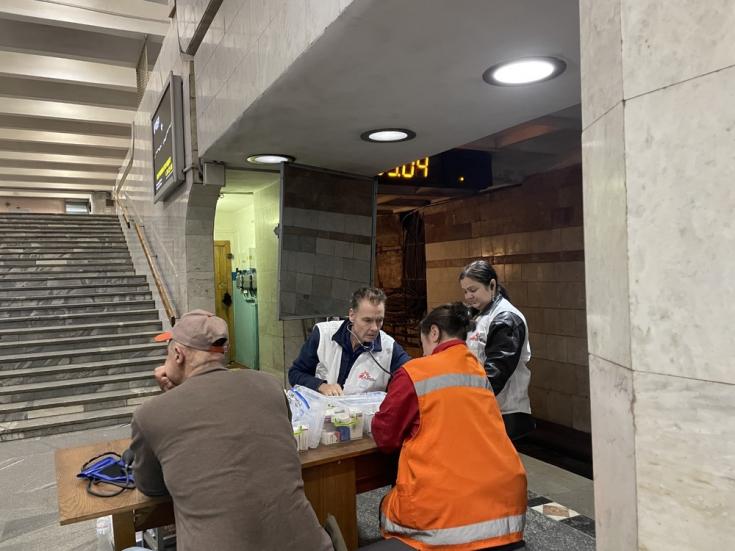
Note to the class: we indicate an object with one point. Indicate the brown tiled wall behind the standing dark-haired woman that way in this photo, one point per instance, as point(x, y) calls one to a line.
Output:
point(532, 235)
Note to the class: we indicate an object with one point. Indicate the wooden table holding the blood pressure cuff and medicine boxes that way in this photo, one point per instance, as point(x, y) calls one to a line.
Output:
point(333, 476)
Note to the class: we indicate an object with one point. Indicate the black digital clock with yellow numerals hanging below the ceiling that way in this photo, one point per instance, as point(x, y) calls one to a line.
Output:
point(459, 168)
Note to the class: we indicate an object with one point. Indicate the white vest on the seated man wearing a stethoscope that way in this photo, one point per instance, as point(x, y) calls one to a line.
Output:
point(365, 375)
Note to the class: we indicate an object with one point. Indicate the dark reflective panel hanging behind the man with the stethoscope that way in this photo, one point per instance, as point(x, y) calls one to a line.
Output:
point(327, 240)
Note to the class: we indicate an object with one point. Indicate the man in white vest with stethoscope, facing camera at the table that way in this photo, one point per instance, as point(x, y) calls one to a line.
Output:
point(351, 356)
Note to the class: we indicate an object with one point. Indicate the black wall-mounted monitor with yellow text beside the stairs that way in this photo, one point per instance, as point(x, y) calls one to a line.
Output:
point(167, 128)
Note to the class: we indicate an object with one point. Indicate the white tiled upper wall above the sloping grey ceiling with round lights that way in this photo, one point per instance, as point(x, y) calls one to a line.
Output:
point(249, 44)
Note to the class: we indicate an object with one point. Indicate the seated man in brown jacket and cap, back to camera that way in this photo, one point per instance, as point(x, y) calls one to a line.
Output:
point(221, 444)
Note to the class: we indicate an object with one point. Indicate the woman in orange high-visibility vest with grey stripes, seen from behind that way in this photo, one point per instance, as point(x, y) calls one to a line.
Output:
point(461, 484)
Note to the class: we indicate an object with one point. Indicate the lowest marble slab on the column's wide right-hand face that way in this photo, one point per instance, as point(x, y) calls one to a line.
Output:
point(685, 456)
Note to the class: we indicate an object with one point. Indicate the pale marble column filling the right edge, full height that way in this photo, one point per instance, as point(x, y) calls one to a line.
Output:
point(658, 105)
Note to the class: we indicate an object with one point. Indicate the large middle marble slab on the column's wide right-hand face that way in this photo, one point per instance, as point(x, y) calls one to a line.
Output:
point(680, 159)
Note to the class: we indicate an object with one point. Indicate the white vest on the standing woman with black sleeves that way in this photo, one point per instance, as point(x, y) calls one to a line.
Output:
point(514, 396)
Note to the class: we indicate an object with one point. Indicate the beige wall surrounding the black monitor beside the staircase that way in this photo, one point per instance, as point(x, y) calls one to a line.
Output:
point(179, 229)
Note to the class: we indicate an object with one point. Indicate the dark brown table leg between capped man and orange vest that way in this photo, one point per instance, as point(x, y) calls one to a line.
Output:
point(331, 488)
